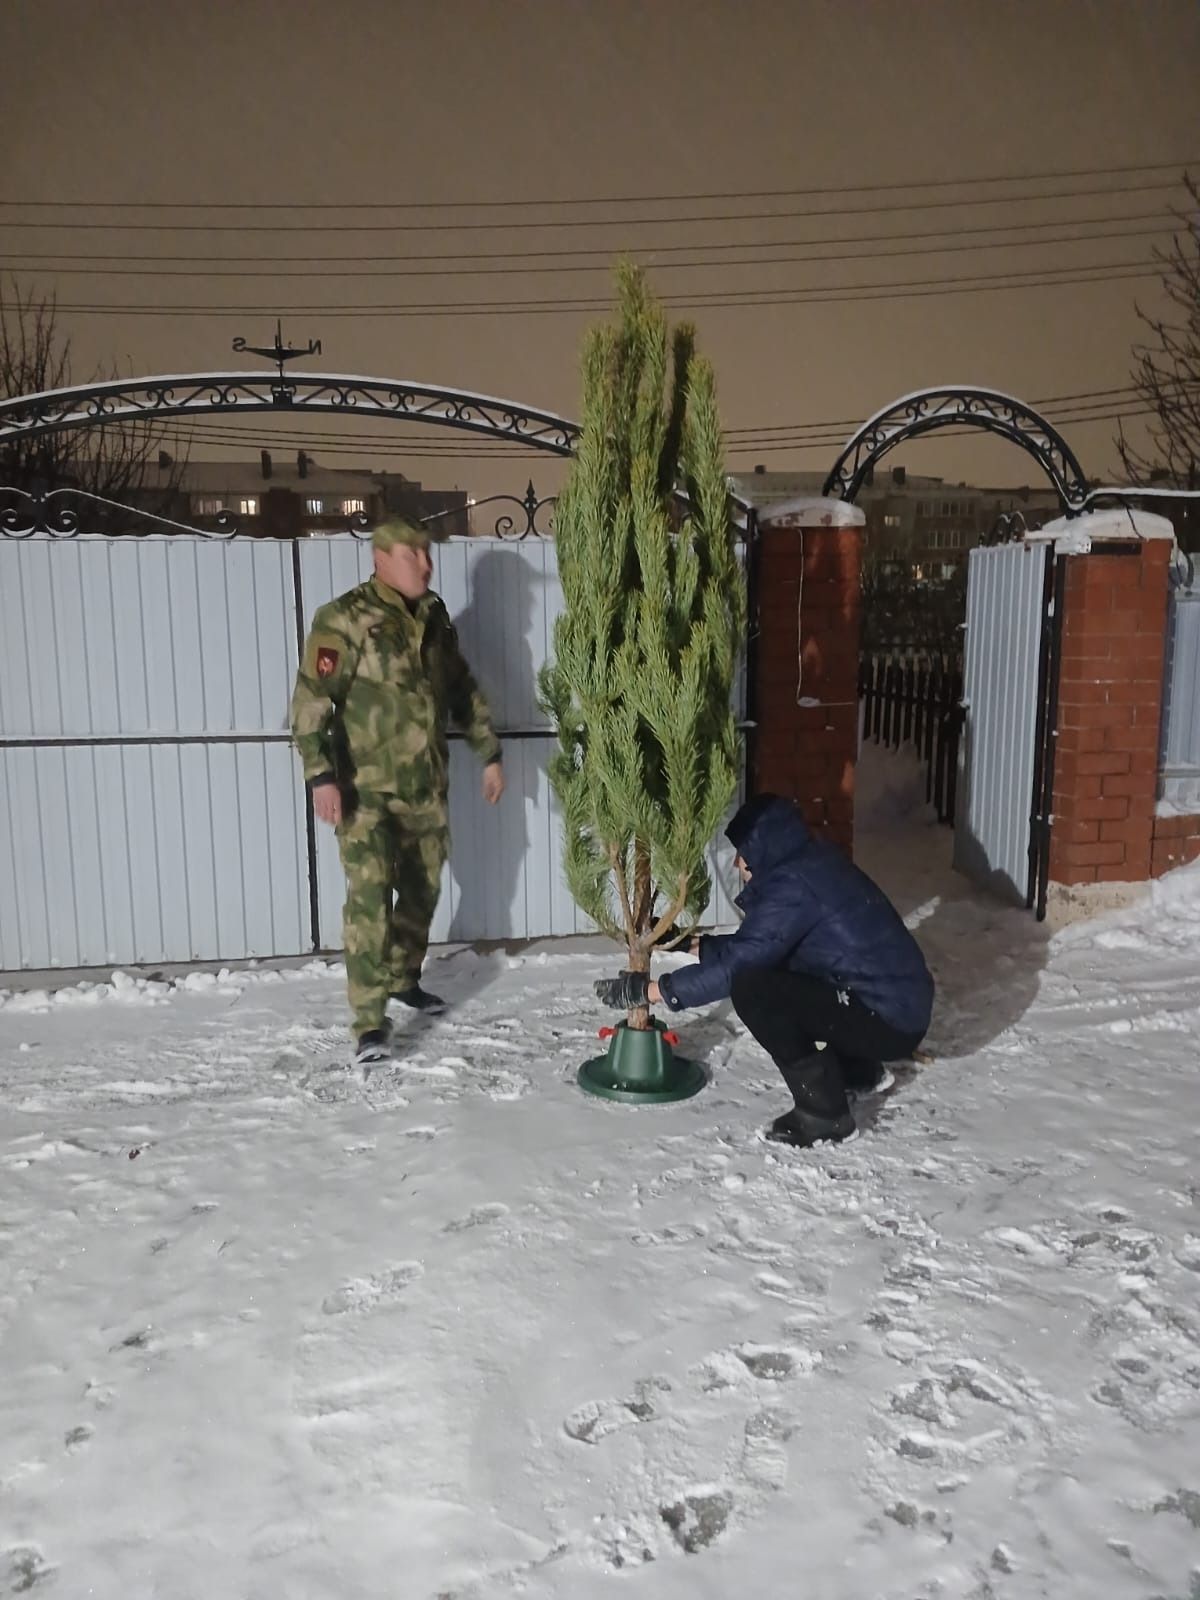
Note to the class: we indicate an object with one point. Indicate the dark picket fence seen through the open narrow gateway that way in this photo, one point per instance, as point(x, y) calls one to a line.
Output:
point(918, 702)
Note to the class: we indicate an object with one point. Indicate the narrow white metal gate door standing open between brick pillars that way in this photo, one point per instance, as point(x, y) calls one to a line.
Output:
point(1002, 812)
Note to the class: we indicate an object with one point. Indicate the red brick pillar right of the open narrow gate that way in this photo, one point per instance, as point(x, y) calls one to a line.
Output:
point(1111, 689)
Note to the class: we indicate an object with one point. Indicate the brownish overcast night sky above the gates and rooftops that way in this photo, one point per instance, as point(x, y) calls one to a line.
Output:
point(407, 102)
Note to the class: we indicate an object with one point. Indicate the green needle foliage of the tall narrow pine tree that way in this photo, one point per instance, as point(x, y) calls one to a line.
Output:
point(647, 646)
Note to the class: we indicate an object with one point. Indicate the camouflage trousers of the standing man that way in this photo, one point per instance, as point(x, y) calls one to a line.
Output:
point(393, 862)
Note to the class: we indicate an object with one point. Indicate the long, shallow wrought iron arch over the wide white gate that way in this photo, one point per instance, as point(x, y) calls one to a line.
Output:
point(206, 394)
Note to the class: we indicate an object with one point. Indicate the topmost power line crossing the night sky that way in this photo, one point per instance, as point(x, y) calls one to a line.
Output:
point(660, 199)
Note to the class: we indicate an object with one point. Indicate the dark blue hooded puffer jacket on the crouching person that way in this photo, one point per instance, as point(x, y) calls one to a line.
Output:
point(809, 910)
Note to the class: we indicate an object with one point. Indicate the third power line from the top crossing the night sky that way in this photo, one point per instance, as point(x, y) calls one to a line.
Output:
point(655, 249)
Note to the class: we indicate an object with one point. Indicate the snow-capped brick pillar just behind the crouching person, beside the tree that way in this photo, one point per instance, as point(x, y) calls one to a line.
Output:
point(807, 660)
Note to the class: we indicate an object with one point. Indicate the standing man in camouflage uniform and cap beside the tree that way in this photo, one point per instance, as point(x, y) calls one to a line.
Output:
point(382, 676)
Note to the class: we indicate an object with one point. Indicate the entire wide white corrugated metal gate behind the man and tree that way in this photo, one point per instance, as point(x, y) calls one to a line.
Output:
point(154, 809)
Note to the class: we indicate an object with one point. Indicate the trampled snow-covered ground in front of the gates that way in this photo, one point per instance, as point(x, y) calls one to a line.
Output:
point(270, 1329)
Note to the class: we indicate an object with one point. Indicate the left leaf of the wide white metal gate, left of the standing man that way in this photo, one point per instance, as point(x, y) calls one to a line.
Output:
point(151, 801)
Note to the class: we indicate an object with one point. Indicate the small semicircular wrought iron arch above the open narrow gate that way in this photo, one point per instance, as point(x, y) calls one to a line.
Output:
point(956, 407)
